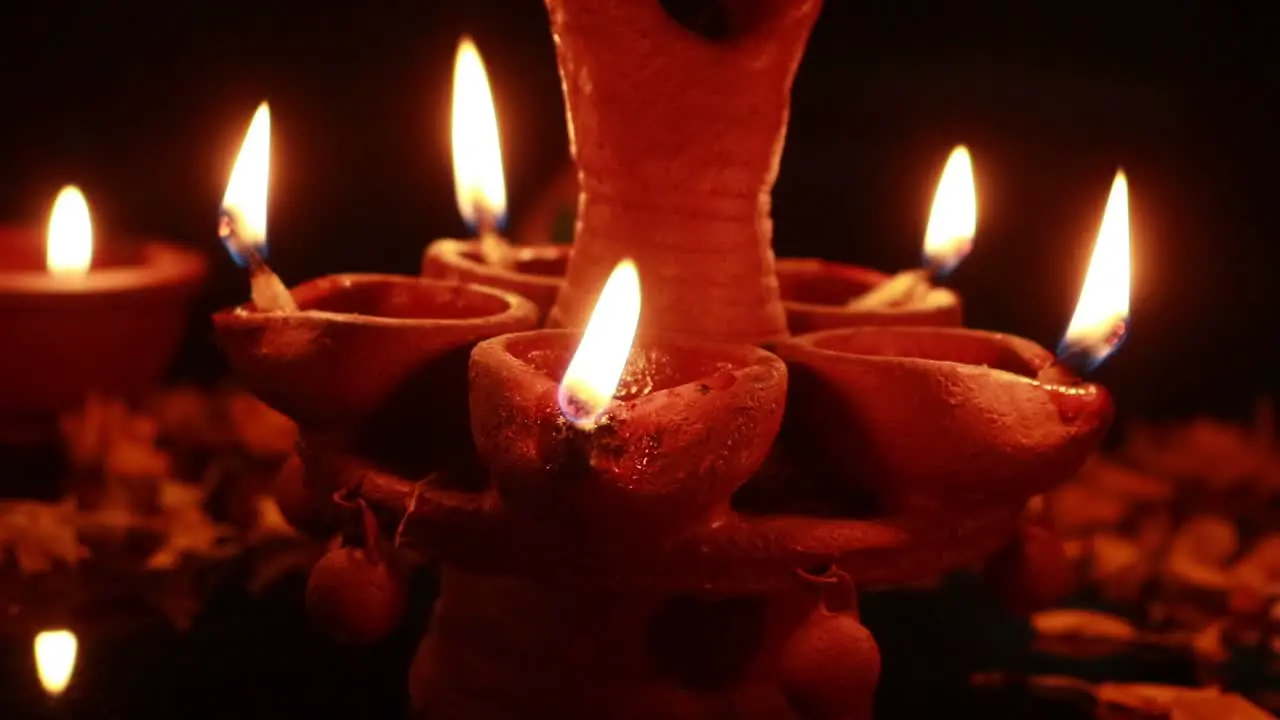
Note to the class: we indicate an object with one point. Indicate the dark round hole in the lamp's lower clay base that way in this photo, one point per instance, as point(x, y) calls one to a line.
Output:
point(707, 645)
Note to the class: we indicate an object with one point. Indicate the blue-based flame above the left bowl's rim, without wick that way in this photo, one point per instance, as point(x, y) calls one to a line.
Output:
point(244, 216)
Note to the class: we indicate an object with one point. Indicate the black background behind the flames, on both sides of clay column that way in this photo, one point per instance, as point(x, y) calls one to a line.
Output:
point(145, 103)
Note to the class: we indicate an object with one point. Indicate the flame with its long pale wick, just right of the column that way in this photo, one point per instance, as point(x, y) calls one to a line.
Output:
point(948, 238)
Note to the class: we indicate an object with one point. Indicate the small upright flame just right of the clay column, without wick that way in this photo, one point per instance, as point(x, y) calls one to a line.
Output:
point(954, 217)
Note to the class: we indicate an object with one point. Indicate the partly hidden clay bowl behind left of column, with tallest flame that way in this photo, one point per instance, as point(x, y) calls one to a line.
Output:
point(490, 259)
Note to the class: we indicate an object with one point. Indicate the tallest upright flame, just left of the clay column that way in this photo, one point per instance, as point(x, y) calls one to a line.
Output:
point(478, 177)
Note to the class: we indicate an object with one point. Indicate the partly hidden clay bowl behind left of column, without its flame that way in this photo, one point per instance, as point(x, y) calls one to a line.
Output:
point(538, 274)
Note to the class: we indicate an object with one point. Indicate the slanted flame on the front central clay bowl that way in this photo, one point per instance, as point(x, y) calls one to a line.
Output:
point(593, 375)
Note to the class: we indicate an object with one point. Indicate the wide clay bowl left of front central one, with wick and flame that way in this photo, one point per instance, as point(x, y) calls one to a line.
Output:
point(369, 361)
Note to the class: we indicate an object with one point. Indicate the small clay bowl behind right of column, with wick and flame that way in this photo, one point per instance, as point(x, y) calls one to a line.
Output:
point(824, 295)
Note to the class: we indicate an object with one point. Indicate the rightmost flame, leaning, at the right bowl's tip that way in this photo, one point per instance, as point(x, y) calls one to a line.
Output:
point(1101, 318)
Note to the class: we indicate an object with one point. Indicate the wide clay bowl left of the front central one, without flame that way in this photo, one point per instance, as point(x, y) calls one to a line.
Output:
point(363, 341)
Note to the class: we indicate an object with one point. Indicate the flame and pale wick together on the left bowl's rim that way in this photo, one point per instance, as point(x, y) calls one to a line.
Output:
point(243, 217)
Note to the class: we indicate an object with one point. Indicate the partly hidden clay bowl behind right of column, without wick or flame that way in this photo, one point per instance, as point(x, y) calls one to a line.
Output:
point(816, 293)
